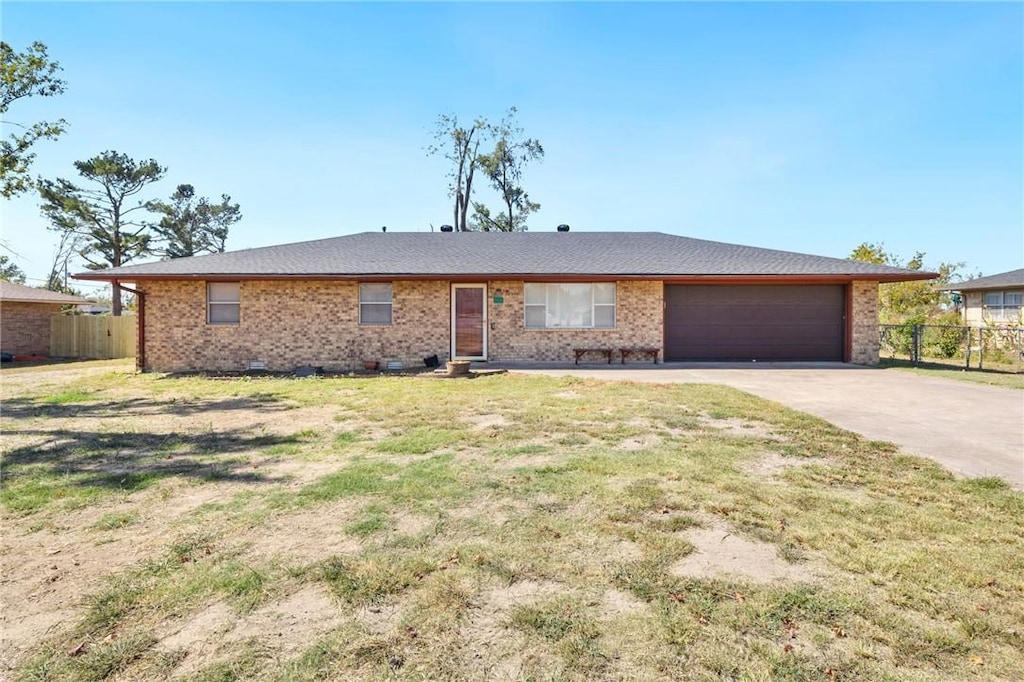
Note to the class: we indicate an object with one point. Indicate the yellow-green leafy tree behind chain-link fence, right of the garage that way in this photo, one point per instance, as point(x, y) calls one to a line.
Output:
point(915, 303)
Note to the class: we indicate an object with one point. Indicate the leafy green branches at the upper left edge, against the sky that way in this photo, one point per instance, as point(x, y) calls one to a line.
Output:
point(25, 75)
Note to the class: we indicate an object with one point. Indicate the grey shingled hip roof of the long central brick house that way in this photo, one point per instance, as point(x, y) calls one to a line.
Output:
point(426, 255)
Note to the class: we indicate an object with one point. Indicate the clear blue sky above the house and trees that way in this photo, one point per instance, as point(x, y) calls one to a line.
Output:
point(808, 127)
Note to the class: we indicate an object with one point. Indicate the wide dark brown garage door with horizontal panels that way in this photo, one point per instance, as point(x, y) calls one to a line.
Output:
point(754, 322)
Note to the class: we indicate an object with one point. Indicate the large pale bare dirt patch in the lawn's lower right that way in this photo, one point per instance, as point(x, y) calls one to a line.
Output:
point(721, 552)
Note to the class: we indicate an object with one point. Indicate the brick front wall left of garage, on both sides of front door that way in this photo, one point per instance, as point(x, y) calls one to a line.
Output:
point(287, 325)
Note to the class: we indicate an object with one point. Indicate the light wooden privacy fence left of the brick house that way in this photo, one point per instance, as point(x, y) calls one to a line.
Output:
point(100, 337)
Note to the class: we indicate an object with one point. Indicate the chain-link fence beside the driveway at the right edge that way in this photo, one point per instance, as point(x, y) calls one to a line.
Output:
point(962, 347)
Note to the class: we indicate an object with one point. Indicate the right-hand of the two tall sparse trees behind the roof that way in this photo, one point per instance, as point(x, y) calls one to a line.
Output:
point(504, 167)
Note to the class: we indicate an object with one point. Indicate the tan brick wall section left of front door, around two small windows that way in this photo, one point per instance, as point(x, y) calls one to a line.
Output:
point(288, 325)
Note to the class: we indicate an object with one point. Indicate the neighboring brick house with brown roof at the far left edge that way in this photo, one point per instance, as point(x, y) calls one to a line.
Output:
point(25, 318)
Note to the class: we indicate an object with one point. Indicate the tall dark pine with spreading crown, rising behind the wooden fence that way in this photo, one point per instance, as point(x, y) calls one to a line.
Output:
point(112, 236)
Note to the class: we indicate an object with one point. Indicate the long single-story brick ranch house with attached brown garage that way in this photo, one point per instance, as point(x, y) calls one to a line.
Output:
point(502, 297)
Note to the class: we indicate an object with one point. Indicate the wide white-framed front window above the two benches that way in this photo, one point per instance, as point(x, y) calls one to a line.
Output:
point(571, 306)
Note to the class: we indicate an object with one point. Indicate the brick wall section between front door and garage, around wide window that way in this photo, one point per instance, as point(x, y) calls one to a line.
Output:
point(638, 323)
